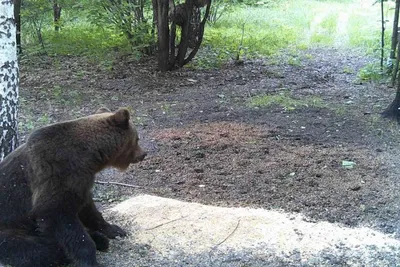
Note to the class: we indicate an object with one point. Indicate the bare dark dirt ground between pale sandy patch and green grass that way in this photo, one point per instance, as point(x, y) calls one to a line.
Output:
point(207, 144)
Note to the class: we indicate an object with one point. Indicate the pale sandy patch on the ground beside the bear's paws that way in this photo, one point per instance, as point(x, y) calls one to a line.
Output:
point(172, 228)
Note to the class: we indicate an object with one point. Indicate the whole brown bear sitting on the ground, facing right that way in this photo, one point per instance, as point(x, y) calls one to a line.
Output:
point(47, 213)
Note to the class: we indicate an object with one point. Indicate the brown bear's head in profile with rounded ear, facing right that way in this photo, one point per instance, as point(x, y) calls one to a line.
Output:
point(130, 150)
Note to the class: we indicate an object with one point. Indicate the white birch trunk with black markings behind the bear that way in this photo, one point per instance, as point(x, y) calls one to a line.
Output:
point(9, 79)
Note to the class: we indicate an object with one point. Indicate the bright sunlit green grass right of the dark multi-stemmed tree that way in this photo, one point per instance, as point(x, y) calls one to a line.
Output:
point(293, 24)
